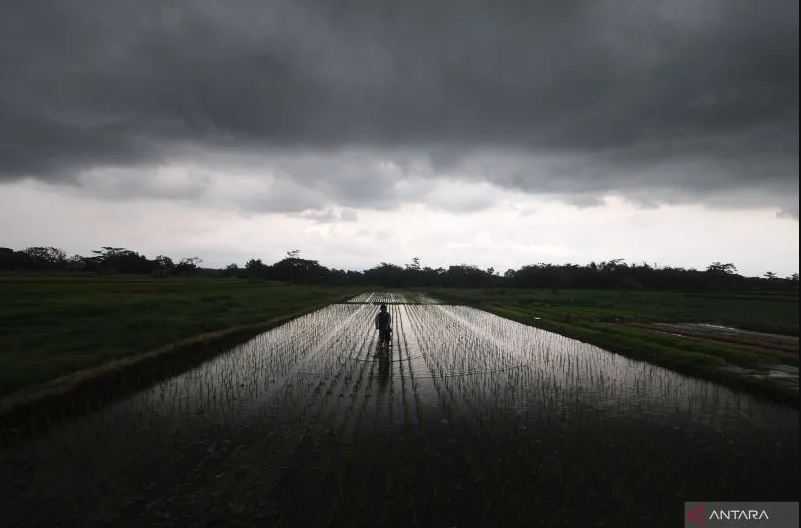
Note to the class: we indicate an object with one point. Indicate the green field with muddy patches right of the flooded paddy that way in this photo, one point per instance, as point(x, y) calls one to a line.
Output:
point(671, 329)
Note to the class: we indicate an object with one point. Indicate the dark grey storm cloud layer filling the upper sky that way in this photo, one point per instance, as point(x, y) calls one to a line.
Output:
point(672, 100)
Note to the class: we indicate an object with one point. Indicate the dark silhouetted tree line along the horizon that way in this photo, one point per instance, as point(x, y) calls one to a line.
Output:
point(615, 273)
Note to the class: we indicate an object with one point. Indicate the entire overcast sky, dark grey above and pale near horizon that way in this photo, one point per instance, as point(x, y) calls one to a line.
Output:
point(495, 133)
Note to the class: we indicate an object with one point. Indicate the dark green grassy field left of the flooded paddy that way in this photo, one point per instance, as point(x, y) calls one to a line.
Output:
point(55, 325)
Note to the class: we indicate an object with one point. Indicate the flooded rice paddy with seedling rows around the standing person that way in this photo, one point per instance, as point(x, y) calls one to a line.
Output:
point(470, 420)
